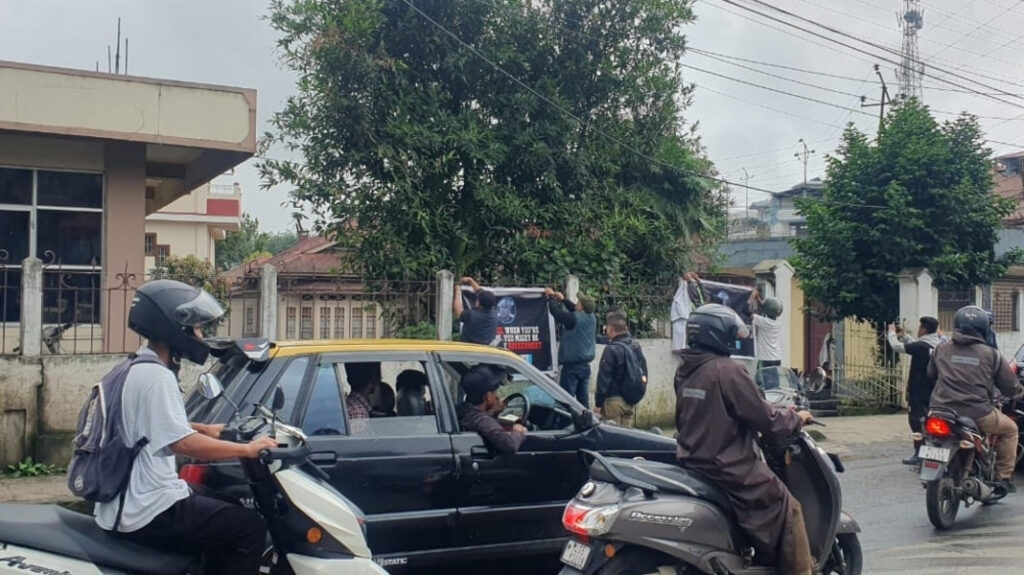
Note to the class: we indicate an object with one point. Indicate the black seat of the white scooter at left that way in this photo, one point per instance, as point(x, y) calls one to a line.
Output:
point(57, 530)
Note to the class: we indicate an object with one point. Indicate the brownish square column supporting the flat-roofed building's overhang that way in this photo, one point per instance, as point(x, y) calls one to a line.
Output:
point(124, 242)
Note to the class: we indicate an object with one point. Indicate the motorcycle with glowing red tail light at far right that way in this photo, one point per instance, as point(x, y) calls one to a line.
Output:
point(958, 466)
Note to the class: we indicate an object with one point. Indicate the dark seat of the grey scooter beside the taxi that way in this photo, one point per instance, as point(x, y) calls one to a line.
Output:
point(667, 477)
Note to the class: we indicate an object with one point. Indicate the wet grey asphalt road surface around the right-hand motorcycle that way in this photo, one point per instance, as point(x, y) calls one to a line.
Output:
point(888, 502)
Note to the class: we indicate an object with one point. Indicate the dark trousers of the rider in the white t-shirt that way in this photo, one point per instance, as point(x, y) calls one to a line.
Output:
point(232, 539)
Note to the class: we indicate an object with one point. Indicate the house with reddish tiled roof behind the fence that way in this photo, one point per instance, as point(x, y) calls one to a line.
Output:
point(320, 295)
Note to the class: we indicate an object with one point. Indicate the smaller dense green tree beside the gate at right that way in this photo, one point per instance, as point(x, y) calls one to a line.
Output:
point(920, 197)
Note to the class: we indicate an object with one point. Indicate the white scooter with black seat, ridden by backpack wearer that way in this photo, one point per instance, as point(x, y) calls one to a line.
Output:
point(314, 528)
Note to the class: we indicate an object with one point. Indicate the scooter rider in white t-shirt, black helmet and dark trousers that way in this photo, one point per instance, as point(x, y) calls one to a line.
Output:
point(160, 510)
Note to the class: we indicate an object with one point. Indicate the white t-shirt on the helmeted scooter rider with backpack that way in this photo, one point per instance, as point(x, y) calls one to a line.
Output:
point(151, 407)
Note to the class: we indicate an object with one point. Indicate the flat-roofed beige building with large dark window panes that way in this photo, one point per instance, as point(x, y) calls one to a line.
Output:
point(84, 159)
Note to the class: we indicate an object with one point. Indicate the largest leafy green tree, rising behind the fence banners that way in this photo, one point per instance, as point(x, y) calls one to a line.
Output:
point(423, 155)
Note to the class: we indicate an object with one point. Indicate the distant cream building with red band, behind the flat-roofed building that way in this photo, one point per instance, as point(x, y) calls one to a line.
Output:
point(193, 225)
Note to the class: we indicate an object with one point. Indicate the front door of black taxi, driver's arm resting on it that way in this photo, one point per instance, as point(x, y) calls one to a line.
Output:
point(520, 498)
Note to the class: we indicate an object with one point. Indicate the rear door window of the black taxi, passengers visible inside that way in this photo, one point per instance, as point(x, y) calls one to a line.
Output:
point(387, 399)
